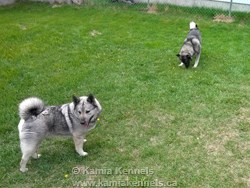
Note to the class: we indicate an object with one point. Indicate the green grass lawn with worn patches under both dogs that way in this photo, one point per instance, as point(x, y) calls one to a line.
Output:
point(161, 123)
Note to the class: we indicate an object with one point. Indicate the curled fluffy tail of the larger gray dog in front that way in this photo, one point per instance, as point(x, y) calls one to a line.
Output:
point(30, 107)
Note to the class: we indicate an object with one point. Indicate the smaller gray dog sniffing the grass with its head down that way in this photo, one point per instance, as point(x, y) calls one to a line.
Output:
point(191, 47)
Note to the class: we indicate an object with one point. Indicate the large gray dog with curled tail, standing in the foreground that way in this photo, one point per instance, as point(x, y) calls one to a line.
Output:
point(37, 121)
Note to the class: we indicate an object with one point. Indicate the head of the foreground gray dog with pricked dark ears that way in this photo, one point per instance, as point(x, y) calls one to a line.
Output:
point(87, 110)
